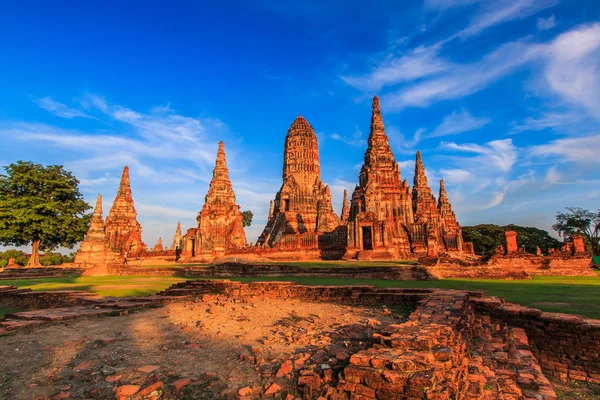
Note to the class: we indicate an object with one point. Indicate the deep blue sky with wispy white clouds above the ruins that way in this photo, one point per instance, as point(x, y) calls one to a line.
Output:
point(501, 97)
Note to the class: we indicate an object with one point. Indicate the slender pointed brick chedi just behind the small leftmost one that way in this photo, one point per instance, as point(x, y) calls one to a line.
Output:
point(123, 230)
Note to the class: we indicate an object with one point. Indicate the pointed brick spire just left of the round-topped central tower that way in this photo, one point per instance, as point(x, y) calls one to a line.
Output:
point(220, 222)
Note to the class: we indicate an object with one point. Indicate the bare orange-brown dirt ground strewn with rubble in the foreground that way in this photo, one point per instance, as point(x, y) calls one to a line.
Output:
point(192, 350)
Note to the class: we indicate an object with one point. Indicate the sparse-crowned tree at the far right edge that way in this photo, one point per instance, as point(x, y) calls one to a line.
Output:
point(583, 222)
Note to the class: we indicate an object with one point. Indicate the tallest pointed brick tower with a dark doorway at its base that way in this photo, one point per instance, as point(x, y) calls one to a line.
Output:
point(381, 203)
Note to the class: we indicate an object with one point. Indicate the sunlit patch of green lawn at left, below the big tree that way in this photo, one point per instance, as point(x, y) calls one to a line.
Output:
point(117, 286)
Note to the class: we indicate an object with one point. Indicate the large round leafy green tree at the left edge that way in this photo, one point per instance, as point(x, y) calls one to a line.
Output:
point(42, 206)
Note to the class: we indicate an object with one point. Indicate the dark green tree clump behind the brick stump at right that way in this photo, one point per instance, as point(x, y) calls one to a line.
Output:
point(487, 237)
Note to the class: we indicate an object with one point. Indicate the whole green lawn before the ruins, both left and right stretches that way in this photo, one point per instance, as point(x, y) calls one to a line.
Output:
point(572, 295)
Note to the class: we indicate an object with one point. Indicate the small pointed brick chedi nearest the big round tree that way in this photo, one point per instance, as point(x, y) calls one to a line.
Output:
point(94, 250)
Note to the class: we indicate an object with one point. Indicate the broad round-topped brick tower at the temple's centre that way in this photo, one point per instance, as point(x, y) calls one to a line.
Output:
point(303, 204)
